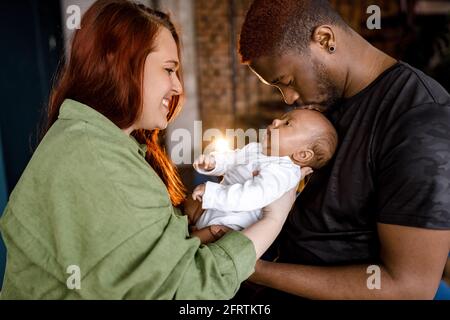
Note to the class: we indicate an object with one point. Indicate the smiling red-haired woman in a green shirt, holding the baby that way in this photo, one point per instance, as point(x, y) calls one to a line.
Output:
point(94, 214)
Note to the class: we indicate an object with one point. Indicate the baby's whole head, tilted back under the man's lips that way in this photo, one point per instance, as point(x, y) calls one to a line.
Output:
point(306, 136)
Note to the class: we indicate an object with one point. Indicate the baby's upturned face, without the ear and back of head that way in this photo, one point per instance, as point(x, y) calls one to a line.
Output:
point(292, 132)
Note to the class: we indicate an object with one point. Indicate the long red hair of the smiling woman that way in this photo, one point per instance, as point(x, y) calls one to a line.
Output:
point(105, 71)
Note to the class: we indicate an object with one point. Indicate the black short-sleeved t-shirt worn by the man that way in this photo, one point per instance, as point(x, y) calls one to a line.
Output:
point(392, 166)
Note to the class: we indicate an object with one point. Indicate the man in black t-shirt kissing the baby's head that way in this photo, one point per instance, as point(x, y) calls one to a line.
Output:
point(385, 198)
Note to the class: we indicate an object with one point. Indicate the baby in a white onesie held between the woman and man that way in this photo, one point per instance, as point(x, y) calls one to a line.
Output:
point(258, 174)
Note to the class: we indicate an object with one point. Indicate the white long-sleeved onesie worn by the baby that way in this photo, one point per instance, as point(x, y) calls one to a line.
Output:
point(237, 201)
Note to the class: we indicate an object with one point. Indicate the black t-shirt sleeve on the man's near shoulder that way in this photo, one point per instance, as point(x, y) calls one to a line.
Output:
point(413, 169)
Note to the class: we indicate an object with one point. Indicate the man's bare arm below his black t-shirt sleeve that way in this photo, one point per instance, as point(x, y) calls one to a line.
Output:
point(412, 263)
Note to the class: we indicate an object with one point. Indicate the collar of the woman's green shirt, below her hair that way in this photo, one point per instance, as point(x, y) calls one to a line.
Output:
point(74, 110)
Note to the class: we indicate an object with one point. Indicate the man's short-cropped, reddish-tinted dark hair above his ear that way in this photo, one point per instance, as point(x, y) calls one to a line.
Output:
point(275, 26)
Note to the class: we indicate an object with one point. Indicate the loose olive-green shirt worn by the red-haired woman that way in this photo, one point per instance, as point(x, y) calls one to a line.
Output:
point(89, 199)
